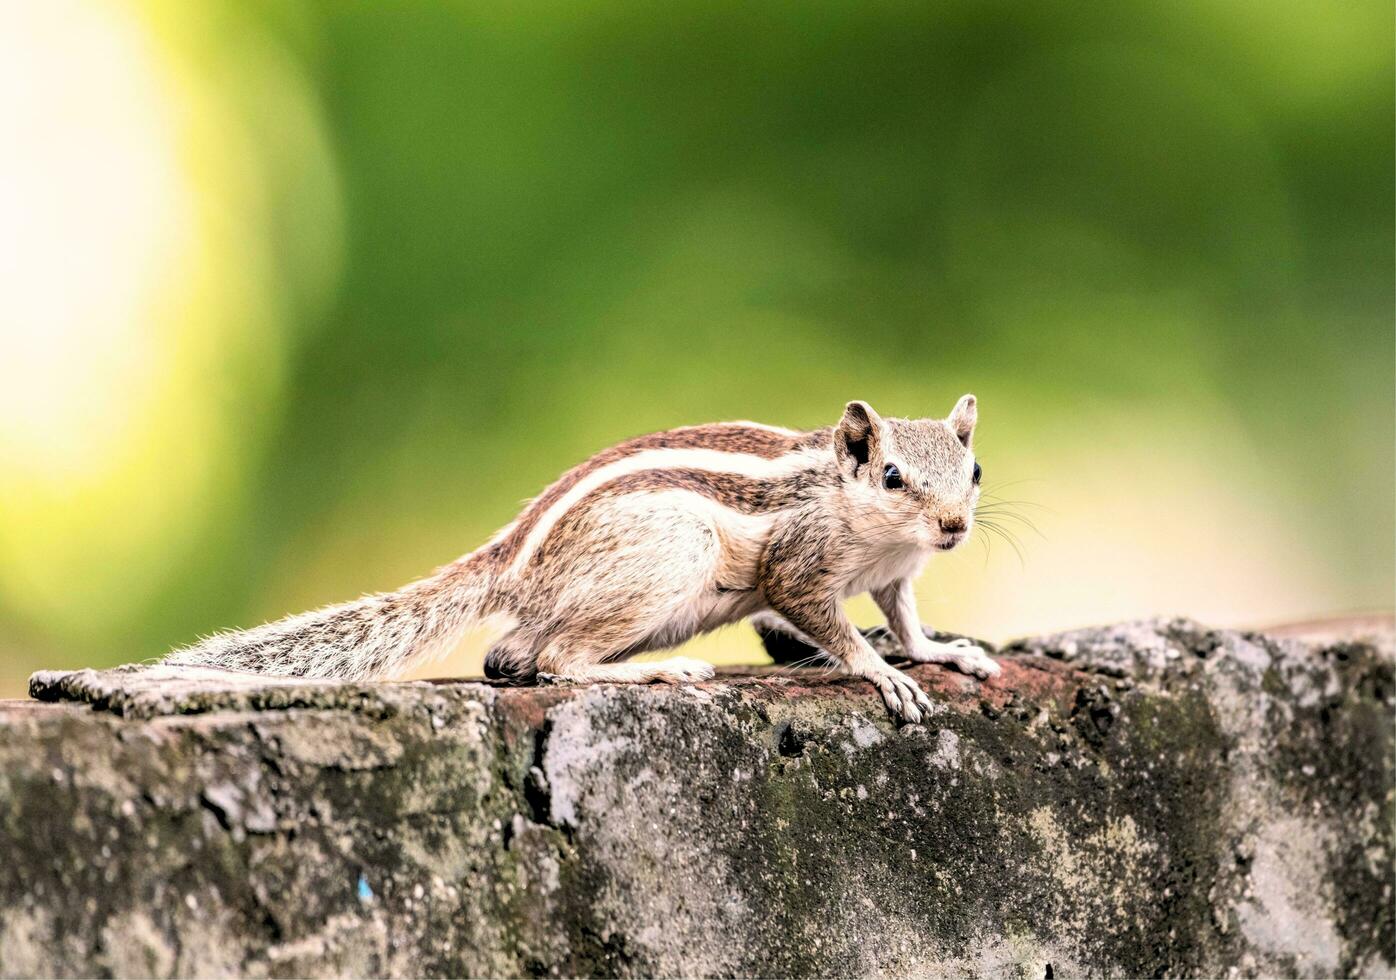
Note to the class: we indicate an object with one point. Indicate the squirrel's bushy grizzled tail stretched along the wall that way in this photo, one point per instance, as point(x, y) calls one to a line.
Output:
point(378, 636)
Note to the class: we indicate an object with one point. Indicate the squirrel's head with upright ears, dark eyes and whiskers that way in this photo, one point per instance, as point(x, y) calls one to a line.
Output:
point(912, 481)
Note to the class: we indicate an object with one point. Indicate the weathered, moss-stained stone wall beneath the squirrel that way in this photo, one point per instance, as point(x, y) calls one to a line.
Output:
point(1151, 799)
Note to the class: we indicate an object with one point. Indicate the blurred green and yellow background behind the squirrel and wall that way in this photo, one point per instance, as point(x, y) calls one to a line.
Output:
point(299, 301)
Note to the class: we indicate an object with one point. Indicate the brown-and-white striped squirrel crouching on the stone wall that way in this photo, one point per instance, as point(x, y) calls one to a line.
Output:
point(671, 535)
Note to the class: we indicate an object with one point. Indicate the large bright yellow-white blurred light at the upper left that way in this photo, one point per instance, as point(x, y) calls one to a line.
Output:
point(140, 339)
